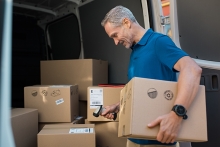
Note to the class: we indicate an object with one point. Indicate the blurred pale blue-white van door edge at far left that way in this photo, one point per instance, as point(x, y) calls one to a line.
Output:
point(6, 136)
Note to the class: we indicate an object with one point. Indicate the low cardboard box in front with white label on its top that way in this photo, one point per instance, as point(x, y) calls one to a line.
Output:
point(77, 135)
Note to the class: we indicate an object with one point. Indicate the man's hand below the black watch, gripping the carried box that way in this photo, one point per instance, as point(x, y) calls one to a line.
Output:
point(169, 127)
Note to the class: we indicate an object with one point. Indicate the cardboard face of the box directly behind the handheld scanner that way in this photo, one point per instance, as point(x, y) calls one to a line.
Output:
point(111, 95)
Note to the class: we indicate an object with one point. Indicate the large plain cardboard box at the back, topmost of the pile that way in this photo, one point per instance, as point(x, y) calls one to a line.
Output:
point(83, 72)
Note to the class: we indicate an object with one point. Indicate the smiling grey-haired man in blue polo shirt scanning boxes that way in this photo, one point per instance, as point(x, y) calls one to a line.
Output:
point(153, 56)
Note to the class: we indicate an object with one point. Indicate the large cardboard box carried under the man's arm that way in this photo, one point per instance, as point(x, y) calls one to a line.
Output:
point(143, 100)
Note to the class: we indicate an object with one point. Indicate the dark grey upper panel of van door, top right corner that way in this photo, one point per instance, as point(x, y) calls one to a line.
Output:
point(199, 32)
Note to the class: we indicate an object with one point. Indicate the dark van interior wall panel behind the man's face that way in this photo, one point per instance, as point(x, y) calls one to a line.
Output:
point(96, 42)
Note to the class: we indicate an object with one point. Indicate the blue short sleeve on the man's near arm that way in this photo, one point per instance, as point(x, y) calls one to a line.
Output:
point(167, 52)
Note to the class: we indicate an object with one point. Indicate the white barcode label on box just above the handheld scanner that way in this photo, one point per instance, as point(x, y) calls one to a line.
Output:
point(96, 98)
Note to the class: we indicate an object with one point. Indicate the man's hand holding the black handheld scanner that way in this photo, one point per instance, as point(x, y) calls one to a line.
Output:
point(109, 110)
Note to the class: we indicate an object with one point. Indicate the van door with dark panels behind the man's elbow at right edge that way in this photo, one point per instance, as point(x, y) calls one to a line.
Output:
point(195, 28)
